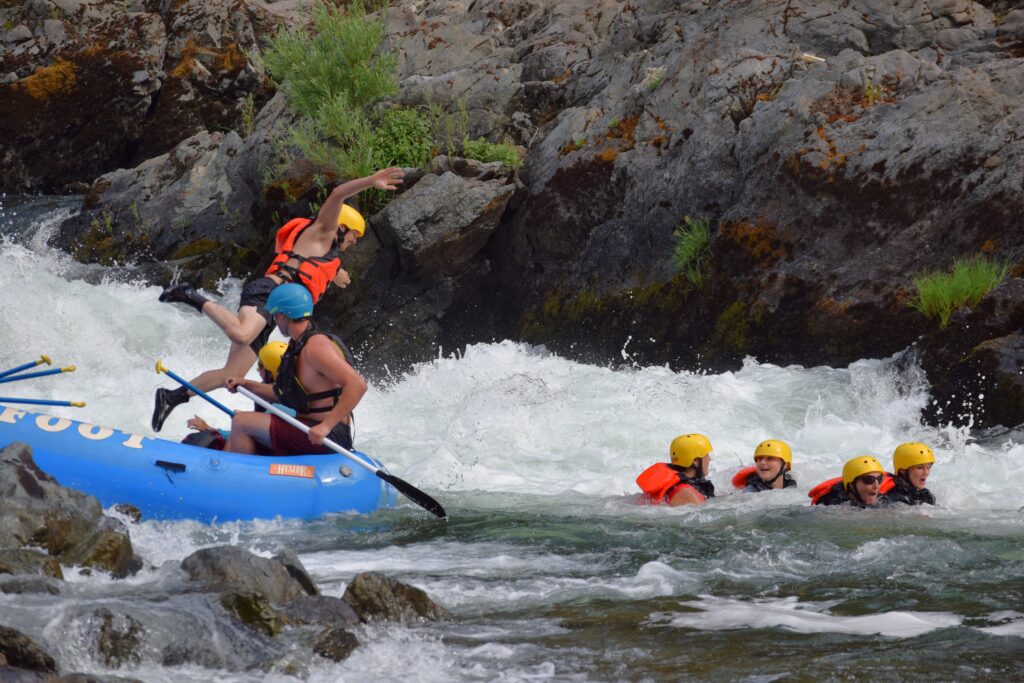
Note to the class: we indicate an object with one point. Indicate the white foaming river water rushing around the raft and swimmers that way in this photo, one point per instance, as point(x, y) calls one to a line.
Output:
point(550, 566)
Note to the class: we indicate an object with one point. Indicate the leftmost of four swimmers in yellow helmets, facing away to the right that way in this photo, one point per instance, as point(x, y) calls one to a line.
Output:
point(681, 482)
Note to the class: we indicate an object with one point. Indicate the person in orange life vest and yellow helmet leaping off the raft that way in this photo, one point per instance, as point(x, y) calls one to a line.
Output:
point(308, 253)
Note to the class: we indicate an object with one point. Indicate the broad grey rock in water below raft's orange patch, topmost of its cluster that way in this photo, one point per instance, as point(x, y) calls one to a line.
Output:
point(232, 569)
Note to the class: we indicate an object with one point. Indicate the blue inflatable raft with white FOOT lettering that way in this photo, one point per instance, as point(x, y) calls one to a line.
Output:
point(170, 481)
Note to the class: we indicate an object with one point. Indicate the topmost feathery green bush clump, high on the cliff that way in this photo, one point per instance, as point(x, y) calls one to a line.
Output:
point(340, 64)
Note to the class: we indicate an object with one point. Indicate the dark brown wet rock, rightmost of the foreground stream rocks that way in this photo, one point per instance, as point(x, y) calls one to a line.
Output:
point(376, 597)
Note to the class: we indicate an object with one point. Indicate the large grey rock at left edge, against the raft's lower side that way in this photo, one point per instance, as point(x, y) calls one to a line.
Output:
point(37, 510)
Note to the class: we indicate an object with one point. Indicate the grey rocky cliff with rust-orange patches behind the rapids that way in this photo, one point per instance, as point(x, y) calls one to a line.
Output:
point(836, 149)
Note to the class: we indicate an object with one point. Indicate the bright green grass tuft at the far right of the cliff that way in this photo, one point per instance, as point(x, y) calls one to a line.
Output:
point(940, 294)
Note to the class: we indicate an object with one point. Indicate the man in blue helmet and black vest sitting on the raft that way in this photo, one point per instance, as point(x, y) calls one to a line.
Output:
point(315, 378)
